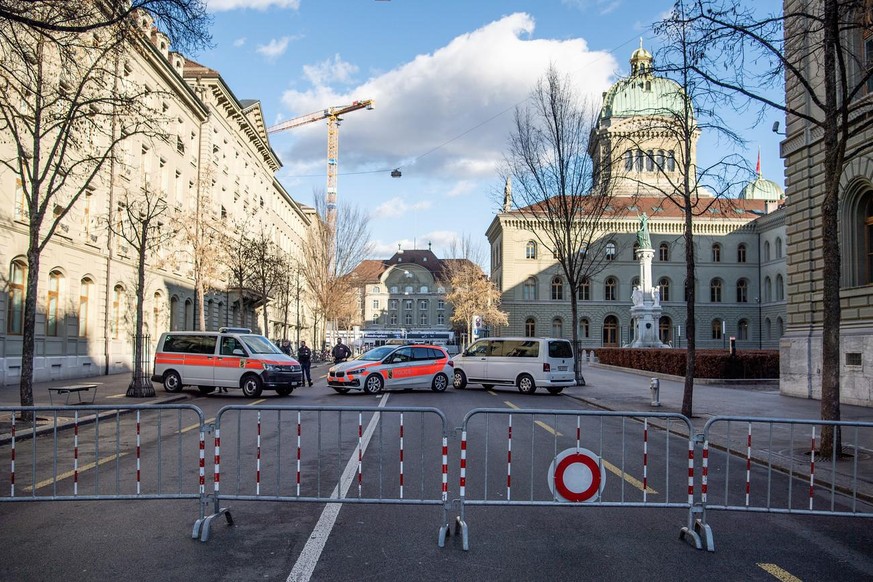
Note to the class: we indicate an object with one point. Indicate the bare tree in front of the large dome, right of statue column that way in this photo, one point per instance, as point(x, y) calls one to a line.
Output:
point(686, 110)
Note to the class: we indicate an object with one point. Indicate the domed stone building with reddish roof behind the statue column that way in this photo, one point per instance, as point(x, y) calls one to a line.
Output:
point(730, 240)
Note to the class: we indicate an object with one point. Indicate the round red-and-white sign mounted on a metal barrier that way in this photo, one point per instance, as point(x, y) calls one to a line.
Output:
point(576, 475)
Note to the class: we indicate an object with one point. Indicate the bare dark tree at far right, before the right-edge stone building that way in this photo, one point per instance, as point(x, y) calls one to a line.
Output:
point(814, 48)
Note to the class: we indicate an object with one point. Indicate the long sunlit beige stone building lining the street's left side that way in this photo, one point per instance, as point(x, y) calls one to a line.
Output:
point(215, 166)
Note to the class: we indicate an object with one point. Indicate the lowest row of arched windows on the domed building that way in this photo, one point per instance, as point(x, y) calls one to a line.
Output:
point(610, 328)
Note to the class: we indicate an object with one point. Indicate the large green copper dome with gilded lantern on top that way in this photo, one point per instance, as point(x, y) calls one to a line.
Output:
point(642, 93)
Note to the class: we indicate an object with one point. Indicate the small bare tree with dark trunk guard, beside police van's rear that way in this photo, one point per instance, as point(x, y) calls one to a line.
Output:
point(141, 221)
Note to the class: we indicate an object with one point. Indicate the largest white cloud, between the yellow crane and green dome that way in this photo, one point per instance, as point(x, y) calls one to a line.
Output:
point(448, 112)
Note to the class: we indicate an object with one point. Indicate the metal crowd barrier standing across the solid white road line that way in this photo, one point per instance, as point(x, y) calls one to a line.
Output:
point(324, 454)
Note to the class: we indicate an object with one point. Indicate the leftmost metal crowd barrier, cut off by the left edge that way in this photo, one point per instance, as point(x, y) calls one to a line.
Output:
point(99, 452)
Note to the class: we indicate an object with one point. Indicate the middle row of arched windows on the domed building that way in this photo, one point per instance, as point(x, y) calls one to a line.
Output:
point(610, 289)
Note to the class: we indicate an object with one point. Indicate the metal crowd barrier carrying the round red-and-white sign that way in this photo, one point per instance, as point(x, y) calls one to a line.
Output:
point(567, 456)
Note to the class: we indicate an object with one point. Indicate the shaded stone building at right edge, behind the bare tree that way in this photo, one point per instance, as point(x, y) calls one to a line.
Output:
point(802, 151)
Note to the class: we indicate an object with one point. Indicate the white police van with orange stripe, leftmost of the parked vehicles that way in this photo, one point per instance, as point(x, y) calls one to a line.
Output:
point(228, 358)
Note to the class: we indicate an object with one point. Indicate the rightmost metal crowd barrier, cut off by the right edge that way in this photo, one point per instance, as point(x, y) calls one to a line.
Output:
point(772, 465)
